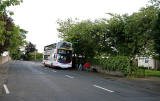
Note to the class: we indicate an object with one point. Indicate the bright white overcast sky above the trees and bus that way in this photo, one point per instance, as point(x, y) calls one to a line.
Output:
point(39, 17)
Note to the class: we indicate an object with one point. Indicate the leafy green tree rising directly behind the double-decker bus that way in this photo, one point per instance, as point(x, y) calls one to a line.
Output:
point(85, 35)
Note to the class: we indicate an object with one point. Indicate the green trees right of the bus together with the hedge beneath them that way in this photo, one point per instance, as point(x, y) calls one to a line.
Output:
point(121, 38)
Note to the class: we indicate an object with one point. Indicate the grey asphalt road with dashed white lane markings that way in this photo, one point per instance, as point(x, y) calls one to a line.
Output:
point(30, 81)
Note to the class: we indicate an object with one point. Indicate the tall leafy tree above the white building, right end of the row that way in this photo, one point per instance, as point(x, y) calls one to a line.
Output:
point(138, 30)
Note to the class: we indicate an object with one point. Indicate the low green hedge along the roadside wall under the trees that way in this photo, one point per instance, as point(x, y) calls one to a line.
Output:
point(119, 63)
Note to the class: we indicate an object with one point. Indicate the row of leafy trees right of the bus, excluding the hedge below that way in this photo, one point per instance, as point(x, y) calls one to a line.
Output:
point(120, 35)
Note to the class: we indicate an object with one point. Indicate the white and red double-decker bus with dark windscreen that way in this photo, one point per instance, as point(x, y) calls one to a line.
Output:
point(58, 55)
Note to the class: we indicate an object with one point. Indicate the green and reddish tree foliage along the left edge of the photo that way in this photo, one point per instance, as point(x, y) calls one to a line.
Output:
point(11, 35)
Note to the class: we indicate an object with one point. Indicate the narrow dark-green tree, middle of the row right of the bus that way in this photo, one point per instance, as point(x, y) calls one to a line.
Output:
point(115, 36)
